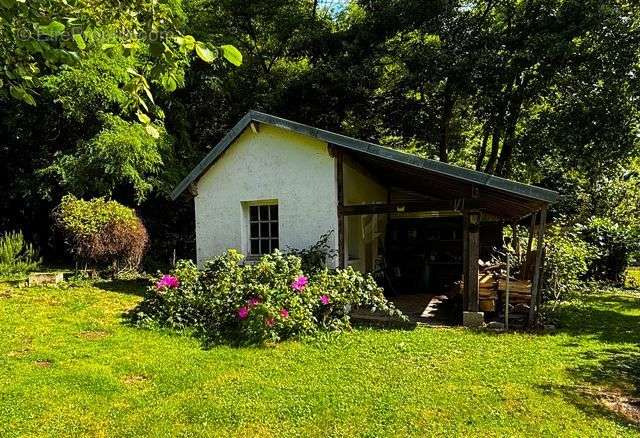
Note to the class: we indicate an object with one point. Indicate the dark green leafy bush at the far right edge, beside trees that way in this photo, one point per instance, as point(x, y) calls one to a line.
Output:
point(614, 244)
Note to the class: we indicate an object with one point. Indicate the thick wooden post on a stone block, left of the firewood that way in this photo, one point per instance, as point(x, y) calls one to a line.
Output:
point(471, 297)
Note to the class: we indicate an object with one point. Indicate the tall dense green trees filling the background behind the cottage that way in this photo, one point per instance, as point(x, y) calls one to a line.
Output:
point(543, 91)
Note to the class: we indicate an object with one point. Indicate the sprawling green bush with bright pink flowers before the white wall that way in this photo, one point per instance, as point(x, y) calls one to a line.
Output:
point(271, 300)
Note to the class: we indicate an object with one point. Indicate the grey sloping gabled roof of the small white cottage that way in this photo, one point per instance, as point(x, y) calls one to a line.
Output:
point(374, 152)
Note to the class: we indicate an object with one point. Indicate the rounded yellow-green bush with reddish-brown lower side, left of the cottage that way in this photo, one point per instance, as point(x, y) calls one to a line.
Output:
point(104, 232)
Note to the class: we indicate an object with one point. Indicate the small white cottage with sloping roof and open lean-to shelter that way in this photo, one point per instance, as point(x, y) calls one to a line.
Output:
point(273, 183)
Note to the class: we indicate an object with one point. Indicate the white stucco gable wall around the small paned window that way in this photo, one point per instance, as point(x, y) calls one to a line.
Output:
point(273, 164)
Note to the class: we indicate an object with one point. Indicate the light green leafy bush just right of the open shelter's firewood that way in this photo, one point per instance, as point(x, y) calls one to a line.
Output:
point(567, 262)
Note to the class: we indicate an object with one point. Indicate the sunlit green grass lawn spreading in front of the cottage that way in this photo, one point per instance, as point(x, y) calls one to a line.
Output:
point(70, 366)
